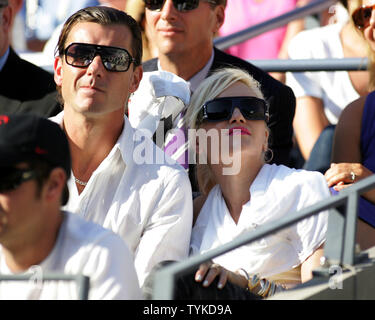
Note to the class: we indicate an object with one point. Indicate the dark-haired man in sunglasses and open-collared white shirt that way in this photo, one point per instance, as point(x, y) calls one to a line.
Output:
point(148, 204)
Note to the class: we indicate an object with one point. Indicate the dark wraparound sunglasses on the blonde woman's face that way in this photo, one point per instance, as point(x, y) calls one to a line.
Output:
point(221, 109)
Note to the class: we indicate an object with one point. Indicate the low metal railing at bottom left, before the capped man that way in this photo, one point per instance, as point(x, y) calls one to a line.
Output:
point(83, 282)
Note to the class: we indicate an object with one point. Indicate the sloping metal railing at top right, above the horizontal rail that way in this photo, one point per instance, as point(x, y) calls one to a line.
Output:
point(253, 31)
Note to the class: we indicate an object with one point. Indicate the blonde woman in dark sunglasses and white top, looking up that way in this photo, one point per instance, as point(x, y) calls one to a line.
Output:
point(231, 104)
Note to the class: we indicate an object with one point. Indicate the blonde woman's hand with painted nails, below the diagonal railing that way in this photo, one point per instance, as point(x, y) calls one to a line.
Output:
point(208, 271)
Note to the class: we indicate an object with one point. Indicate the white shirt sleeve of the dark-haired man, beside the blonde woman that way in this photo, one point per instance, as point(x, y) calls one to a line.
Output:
point(167, 234)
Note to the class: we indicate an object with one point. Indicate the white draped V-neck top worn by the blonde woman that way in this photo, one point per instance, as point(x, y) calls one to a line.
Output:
point(276, 192)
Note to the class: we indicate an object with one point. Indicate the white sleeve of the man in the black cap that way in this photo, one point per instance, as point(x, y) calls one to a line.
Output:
point(111, 269)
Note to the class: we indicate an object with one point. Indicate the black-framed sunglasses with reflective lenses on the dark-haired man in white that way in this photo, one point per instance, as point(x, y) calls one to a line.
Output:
point(114, 59)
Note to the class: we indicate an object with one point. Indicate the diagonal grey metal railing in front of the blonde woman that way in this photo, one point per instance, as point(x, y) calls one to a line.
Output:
point(339, 246)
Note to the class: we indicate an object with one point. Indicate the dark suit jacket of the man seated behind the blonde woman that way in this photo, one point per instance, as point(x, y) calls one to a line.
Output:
point(280, 98)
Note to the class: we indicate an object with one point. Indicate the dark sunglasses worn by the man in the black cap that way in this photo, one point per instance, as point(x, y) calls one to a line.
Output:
point(11, 178)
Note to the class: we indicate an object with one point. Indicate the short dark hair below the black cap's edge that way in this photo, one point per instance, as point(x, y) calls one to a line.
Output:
point(43, 170)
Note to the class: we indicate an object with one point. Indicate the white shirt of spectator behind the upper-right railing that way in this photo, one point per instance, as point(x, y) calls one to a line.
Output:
point(334, 88)
